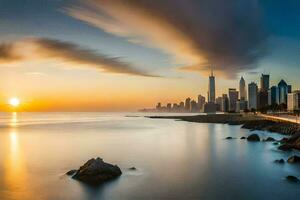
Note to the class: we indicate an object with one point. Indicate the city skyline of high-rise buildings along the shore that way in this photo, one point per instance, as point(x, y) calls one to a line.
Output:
point(251, 98)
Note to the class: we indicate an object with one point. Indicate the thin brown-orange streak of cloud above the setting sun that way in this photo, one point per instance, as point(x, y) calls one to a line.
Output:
point(42, 48)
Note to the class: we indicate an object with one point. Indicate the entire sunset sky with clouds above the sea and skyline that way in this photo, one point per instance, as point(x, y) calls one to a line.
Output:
point(122, 55)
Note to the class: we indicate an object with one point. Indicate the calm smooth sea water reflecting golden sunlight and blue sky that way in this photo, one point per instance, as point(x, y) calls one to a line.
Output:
point(175, 160)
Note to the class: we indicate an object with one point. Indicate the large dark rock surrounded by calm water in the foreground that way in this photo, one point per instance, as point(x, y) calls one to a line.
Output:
point(96, 171)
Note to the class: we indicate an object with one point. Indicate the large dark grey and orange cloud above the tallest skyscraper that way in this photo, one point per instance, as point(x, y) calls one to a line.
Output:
point(227, 35)
